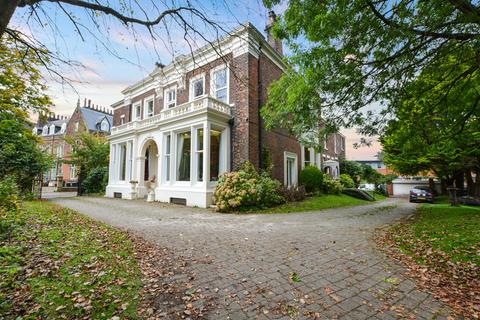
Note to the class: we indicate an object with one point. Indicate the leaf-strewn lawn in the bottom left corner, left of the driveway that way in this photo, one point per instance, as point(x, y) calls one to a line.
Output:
point(60, 264)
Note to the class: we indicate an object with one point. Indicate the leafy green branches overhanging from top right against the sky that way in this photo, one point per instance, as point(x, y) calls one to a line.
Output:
point(363, 53)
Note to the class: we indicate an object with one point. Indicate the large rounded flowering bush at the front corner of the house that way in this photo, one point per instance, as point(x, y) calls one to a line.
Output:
point(246, 188)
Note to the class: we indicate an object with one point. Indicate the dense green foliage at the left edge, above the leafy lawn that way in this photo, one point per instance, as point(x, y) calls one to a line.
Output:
point(20, 155)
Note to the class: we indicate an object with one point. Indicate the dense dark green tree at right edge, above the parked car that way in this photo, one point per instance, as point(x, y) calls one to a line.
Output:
point(438, 133)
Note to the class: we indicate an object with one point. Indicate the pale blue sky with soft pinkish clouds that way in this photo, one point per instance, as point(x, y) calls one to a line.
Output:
point(114, 56)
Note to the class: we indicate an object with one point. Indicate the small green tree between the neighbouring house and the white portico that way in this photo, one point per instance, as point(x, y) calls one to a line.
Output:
point(90, 155)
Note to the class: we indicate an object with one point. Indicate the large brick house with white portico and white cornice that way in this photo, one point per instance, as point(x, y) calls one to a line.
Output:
point(183, 125)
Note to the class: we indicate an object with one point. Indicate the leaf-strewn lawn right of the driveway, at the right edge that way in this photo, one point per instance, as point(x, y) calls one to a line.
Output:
point(441, 246)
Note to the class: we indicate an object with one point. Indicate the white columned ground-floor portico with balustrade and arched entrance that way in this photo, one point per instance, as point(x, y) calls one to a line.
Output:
point(181, 151)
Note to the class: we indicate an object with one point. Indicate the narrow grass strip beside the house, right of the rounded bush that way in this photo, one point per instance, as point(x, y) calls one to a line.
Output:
point(316, 203)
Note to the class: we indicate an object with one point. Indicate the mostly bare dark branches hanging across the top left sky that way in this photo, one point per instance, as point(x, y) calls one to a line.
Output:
point(167, 22)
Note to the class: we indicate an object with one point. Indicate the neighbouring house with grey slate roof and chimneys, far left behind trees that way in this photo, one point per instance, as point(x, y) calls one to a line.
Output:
point(53, 130)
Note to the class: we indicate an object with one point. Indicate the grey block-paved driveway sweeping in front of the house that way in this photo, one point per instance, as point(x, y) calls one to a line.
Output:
point(280, 266)
